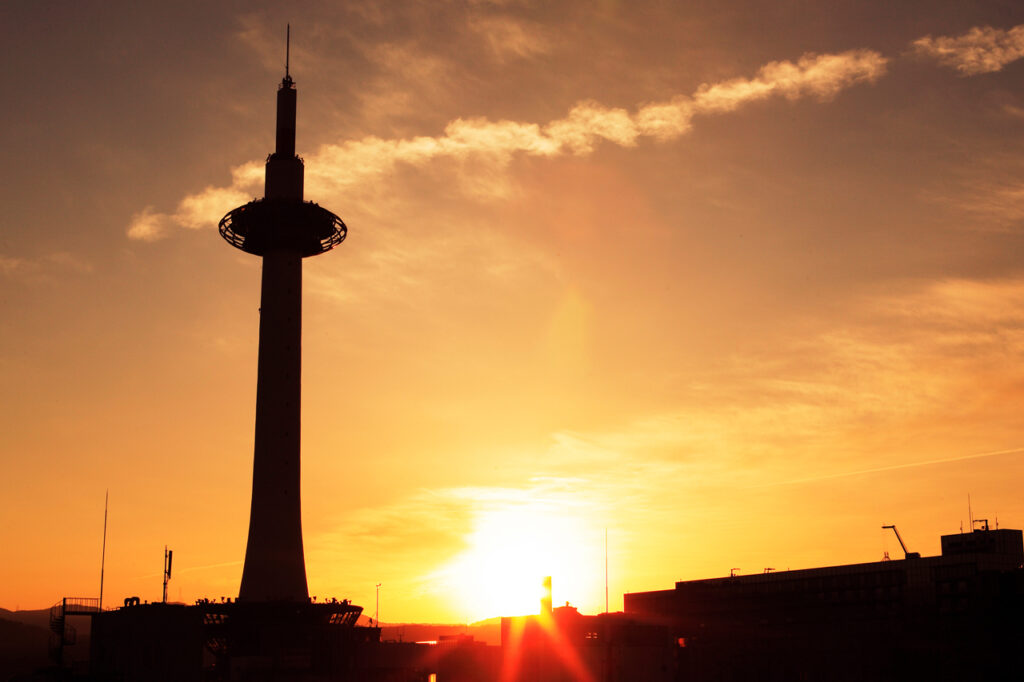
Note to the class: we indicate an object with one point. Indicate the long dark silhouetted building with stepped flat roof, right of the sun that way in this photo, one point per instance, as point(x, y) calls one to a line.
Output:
point(955, 617)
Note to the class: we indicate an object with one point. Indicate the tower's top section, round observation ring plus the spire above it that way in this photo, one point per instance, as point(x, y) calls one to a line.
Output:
point(282, 221)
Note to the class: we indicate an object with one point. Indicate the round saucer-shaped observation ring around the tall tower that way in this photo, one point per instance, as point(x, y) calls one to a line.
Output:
point(272, 225)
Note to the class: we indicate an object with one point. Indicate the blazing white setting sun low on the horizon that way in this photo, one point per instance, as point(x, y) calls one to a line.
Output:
point(513, 549)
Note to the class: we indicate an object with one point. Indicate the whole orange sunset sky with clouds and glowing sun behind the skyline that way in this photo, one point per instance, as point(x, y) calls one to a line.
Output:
point(740, 282)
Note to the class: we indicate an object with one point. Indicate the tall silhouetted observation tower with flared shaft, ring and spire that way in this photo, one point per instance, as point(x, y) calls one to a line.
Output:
point(283, 230)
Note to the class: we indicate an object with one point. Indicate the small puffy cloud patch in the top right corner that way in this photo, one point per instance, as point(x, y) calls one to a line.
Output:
point(980, 51)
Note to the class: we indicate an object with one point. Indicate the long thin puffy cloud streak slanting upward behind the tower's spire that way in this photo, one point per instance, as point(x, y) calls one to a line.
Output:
point(351, 166)
